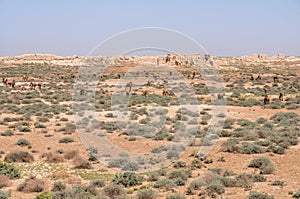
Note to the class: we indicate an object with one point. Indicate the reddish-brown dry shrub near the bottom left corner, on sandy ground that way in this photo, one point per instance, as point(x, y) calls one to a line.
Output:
point(32, 185)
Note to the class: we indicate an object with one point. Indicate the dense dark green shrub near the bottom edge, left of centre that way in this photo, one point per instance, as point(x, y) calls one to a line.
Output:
point(128, 179)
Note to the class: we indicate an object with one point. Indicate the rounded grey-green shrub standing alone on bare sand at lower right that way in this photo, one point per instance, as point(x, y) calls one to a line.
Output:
point(264, 164)
